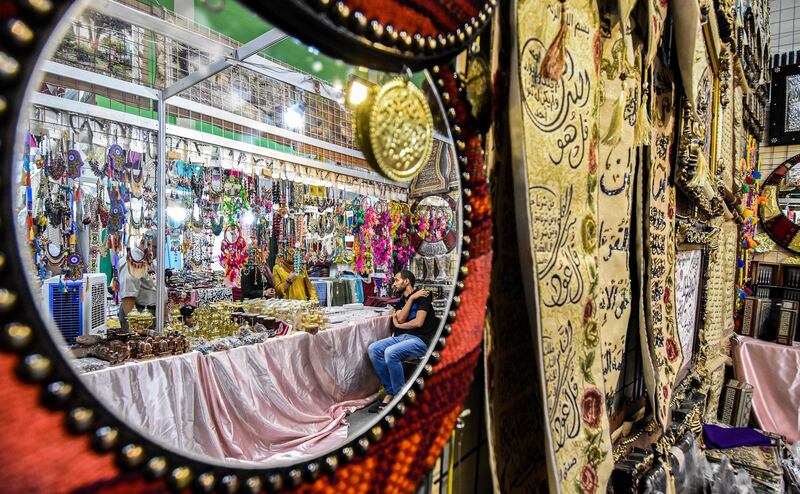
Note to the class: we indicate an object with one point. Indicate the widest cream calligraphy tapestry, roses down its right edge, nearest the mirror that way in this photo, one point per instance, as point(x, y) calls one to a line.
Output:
point(559, 52)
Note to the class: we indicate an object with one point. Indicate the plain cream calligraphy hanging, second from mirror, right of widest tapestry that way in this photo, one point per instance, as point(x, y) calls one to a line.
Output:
point(618, 95)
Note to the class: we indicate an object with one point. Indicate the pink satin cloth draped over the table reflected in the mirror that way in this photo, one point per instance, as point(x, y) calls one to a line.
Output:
point(272, 403)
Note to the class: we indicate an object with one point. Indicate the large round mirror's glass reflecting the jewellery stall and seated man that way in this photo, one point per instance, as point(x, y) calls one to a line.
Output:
point(212, 251)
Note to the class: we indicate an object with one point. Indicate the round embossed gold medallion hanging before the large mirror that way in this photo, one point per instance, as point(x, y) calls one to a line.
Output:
point(394, 129)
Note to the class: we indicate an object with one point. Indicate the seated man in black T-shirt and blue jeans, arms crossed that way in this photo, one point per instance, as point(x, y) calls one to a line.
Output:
point(414, 323)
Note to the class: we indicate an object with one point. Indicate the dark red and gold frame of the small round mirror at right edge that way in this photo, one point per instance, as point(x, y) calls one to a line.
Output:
point(777, 225)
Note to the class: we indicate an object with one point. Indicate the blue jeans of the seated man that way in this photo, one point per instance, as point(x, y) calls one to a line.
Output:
point(387, 356)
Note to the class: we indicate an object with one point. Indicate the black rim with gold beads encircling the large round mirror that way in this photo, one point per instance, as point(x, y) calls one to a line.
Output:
point(23, 38)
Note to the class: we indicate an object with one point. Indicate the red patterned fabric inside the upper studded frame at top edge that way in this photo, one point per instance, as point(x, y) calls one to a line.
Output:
point(427, 17)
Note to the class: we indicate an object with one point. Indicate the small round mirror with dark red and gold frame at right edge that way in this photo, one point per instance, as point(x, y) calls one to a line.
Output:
point(779, 211)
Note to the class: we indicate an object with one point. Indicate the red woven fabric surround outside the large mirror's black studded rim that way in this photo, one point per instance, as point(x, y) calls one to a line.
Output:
point(37, 455)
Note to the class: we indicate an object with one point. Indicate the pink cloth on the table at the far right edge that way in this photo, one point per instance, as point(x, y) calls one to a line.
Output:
point(774, 372)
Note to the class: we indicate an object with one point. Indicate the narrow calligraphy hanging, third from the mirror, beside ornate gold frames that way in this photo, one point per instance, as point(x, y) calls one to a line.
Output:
point(659, 246)
